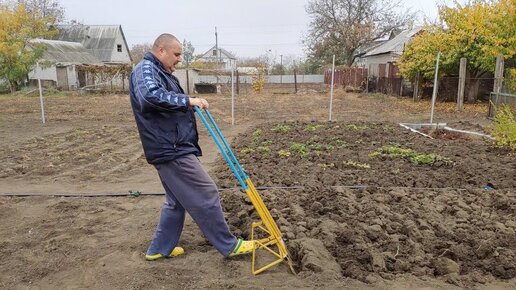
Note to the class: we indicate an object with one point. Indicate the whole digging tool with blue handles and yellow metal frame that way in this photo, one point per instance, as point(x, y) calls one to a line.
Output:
point(267, 226)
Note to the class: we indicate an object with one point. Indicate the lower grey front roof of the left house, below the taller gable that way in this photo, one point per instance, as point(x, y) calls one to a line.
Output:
point(65, 52)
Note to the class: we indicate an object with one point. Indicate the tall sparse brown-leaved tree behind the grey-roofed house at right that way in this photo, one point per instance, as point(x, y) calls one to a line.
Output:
point(340, 27)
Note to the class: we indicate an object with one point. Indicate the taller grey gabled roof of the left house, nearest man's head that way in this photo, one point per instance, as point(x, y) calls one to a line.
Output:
point(99, 39)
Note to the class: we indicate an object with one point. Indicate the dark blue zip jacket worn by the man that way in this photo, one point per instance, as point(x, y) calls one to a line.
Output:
point(165, 121)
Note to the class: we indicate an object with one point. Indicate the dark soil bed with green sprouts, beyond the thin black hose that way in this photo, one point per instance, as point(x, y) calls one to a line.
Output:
point(343, 154)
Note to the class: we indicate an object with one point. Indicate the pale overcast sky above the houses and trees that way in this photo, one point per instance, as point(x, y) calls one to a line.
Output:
point(245, 28)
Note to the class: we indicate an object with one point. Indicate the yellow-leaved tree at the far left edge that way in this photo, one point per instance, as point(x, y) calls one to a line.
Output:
point(18, 54)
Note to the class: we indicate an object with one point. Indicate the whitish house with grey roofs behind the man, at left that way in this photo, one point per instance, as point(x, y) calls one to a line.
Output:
point(72, 55)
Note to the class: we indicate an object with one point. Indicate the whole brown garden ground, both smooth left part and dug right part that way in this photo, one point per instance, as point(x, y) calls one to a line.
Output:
point(422, 214)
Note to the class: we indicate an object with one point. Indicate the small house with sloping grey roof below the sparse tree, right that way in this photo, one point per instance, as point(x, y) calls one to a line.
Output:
point(380, 61)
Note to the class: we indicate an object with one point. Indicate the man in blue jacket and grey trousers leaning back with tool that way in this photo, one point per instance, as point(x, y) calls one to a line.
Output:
point(168, 132)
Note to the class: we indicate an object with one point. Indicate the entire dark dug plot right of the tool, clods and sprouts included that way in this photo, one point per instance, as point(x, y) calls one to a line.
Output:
point(381, 215)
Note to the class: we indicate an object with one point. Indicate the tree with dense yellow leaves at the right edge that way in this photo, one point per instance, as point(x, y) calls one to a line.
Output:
point(477, 31)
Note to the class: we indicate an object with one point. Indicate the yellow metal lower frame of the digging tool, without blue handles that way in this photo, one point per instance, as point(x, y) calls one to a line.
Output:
point(268, 226)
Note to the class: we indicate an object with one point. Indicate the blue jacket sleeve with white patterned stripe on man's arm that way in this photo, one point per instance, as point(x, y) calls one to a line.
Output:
point(152, 94)
